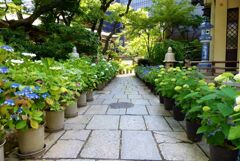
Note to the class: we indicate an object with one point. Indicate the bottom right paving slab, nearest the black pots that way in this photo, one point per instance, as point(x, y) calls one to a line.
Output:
point(183, 152)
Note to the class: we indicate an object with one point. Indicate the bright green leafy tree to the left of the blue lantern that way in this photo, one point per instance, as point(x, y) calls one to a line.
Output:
point(170, 14)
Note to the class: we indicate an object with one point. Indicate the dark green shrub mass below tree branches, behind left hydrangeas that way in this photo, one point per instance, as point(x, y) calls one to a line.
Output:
point(55, 41)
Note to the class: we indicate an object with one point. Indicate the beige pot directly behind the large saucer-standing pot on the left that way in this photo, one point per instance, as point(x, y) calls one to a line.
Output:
point(54, 121)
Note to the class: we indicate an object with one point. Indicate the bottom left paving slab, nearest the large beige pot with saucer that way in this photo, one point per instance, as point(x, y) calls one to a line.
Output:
point(65, 149)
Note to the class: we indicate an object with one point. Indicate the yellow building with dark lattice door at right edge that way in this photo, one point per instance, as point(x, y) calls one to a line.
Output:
point(225, 17)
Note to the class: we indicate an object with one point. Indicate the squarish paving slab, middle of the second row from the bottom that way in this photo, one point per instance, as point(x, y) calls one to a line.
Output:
point(132, 123)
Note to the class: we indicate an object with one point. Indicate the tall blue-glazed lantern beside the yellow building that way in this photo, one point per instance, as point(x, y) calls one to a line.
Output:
point(205, 39)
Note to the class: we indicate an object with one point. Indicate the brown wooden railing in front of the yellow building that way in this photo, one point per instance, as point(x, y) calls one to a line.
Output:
point(217, 67)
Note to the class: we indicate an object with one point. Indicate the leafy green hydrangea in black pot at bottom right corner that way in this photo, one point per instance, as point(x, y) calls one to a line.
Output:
point(220, 123)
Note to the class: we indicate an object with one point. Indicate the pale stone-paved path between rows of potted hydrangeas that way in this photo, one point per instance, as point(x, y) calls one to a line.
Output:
point(142, 132)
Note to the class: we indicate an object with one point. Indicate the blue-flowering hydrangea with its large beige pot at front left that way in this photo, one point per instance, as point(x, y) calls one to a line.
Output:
point(22, 107)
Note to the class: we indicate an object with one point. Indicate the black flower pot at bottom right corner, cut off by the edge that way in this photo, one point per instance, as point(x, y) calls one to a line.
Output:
point(218, 153)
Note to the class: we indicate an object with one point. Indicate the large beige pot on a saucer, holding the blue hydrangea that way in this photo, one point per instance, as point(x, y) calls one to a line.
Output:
point(31, 140)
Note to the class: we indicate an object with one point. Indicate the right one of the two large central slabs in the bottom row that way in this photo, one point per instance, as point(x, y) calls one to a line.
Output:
point(139, 145)
